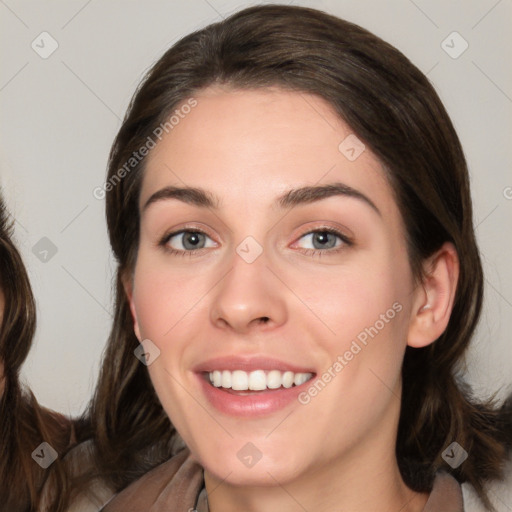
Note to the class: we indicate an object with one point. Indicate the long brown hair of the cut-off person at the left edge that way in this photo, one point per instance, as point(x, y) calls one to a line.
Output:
point(24, 424)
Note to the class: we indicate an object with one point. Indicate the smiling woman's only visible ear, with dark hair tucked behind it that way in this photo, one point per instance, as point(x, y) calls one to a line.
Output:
point(434, 297)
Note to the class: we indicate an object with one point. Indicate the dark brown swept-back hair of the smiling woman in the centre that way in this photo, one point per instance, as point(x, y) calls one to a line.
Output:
point(391, 106)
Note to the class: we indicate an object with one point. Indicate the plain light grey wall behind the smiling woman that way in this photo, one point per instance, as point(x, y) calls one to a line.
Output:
point(59, 117)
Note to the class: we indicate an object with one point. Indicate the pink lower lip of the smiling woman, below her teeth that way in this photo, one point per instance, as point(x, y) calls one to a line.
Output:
point(257, 404)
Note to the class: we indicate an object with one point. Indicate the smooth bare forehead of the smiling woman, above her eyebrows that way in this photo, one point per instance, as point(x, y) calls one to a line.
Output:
point(256, 144)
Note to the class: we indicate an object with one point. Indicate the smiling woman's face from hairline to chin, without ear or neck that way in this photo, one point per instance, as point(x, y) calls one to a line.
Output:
point(338, 306)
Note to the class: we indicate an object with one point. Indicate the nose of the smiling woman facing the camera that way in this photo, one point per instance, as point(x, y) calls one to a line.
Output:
point(249, 297)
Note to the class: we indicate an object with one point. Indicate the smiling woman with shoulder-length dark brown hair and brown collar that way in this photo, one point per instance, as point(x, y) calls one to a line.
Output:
point(300, 377)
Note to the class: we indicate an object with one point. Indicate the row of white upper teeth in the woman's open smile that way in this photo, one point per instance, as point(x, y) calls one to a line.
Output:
point(257, 380)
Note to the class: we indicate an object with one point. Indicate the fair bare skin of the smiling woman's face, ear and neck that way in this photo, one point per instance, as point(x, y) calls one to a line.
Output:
point(248, 147)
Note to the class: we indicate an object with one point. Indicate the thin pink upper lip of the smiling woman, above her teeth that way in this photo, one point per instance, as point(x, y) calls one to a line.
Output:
point(250, 363)
